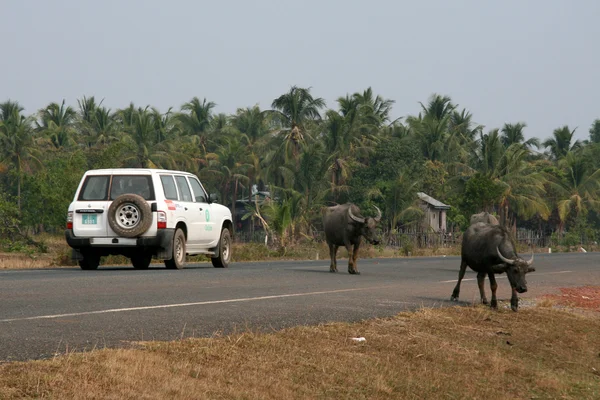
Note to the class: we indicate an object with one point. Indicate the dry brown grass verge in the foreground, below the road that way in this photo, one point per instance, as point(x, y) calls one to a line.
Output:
point(451, 353)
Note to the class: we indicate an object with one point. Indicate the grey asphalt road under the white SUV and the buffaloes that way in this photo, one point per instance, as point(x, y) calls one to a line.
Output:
point(52, 311)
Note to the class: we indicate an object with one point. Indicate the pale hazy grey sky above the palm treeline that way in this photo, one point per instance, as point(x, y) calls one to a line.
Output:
point(506, 61)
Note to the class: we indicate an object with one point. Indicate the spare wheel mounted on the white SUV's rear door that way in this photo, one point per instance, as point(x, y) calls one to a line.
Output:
point(129, 215)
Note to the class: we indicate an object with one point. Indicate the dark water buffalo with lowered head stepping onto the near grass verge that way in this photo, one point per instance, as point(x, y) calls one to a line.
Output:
point(488, 250)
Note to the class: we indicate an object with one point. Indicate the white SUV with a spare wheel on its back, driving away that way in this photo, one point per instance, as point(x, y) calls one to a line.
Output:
point(145, 213)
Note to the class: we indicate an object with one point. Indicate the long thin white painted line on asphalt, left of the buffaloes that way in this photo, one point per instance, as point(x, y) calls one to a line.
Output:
point(200, 303)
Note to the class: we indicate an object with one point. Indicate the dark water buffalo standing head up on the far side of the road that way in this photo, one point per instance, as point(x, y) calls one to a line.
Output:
point(345, 226)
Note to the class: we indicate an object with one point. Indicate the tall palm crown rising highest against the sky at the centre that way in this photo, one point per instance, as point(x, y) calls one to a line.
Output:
point(295, 110)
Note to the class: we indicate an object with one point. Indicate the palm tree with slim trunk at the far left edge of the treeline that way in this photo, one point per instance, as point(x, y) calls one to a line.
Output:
point(18, 145)
